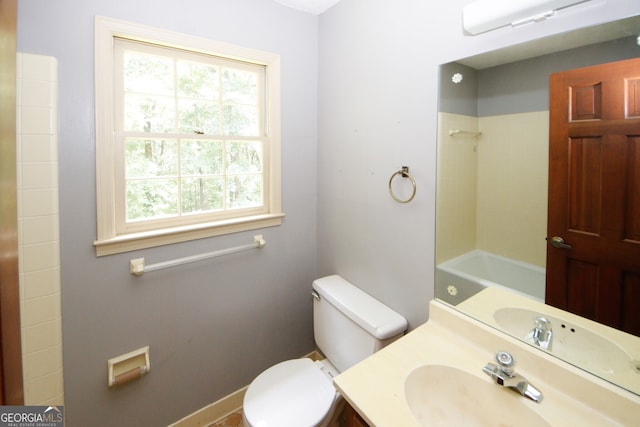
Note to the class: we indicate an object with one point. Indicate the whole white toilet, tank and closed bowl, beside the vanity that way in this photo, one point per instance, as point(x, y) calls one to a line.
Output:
point(349, 325)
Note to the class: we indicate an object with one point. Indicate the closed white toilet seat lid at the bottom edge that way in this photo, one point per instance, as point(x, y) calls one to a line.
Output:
point(293, 393)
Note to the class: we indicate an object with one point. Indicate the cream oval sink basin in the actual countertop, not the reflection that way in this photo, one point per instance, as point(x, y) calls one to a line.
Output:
point(441, 395)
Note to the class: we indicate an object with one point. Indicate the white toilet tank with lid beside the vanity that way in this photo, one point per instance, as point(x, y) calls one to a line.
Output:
point(349, 324)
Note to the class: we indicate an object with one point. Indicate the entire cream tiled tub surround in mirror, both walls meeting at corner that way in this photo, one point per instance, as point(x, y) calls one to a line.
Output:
point(492, 190)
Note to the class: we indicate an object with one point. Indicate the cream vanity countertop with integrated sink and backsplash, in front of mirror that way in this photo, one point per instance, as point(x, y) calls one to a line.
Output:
point(434, 376)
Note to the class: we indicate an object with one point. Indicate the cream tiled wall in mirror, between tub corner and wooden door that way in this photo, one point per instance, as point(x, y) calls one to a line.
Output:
point(512, 201)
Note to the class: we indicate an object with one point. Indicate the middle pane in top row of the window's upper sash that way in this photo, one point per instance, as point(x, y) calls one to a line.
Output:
point(197, 80)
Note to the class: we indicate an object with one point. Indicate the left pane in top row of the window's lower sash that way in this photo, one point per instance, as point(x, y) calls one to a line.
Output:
point(150, 158)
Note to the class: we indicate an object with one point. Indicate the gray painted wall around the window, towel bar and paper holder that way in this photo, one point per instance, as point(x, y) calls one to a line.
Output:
point(211, 326)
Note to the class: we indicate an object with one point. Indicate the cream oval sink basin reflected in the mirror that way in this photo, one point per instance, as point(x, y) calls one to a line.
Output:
point(572, 343)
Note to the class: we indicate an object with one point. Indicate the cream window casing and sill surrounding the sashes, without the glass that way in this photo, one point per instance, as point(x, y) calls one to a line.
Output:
point(109, 189)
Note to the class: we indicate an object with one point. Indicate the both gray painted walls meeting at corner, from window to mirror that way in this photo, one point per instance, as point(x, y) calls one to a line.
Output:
point(368, 70)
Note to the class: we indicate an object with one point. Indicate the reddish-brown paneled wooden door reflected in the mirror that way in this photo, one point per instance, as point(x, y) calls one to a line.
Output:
point(593, 240)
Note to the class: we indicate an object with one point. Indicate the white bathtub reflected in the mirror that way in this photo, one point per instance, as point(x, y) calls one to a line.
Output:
point(463, 276)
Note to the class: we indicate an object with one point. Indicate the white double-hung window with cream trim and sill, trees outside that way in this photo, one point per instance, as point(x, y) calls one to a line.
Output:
point(187, 137)
